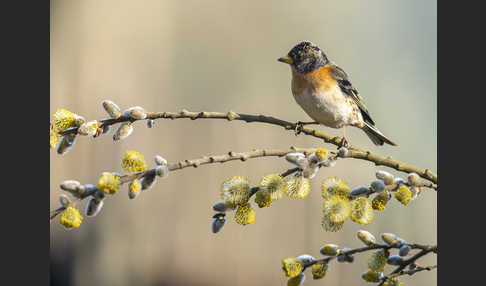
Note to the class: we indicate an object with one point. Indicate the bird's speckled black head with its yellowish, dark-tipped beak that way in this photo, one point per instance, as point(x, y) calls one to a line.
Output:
point(305, 57)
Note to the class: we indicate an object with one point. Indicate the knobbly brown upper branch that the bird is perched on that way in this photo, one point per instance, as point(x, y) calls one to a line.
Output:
point(355, 152)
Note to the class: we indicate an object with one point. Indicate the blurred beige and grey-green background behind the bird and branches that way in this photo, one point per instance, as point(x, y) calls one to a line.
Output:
point(216, 56)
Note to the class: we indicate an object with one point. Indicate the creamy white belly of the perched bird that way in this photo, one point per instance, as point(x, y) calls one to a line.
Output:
point(327, 107)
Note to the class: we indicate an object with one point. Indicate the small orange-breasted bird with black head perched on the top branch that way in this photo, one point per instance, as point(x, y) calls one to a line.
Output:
point(324, 91)
